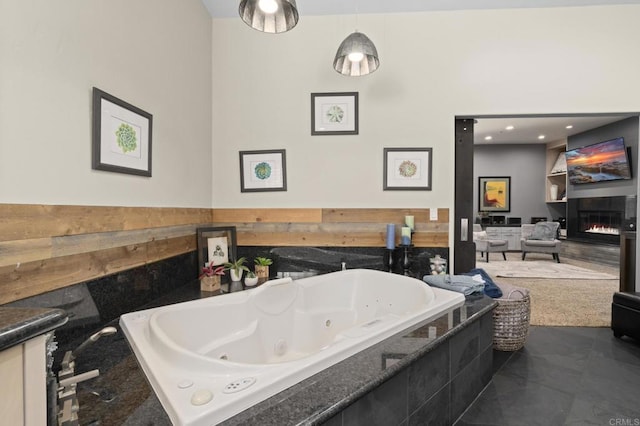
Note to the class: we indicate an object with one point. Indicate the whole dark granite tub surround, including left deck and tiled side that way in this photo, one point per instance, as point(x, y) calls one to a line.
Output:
point(433, 370)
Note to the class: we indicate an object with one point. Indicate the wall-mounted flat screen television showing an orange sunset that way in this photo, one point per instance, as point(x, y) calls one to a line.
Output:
point(600, 162)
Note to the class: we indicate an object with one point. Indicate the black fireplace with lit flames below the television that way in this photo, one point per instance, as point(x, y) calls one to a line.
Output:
point(599, 219)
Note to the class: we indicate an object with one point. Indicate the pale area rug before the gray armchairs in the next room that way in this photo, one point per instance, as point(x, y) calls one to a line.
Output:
point(542, 269)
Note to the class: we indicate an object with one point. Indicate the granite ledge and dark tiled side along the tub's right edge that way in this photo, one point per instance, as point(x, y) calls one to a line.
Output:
point(427, 375)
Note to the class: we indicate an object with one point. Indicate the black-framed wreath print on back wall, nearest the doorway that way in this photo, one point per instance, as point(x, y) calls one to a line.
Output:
point(407, 169)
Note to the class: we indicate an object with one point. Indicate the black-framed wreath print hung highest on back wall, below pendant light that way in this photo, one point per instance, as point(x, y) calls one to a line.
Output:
point(334, 113)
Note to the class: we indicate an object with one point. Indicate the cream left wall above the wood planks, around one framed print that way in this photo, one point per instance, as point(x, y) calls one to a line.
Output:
point(154, 54)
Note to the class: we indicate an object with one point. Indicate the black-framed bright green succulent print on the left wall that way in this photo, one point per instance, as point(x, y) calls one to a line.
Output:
point(121, 136)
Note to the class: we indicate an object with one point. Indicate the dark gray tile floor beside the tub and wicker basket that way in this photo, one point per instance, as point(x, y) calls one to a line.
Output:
point(563, 376)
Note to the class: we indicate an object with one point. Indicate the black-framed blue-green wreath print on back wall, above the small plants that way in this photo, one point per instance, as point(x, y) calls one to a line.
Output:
point(263, 170)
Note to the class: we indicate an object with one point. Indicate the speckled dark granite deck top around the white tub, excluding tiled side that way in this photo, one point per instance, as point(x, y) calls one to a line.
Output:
point(122, 395)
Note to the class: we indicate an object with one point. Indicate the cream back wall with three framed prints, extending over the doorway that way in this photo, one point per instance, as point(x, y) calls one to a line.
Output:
point(434, 66)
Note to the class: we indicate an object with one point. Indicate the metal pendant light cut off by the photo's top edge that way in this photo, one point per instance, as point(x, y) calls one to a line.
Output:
point(269, 16)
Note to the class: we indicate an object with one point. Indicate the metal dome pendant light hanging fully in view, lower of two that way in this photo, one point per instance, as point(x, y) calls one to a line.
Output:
point(356, 56)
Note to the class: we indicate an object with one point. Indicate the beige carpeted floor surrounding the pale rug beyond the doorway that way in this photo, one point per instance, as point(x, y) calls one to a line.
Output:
point(562, 301)
